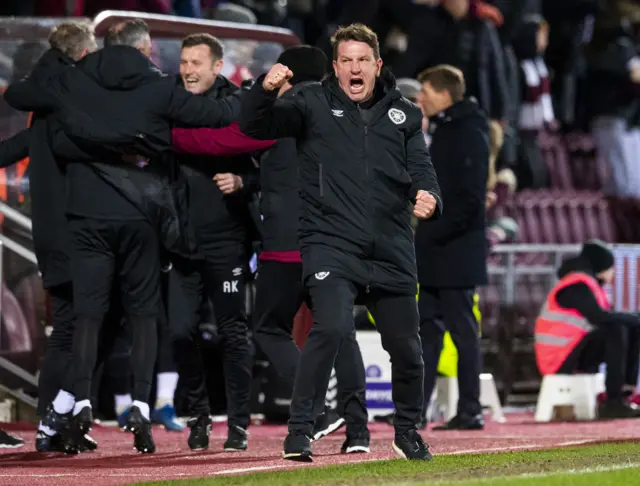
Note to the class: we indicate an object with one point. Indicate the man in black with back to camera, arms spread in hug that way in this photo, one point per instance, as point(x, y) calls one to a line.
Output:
point(112, 214)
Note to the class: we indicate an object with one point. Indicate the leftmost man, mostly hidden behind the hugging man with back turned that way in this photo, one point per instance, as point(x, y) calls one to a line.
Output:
point(70, 42)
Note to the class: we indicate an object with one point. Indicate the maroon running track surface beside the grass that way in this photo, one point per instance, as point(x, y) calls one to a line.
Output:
point(115, 462)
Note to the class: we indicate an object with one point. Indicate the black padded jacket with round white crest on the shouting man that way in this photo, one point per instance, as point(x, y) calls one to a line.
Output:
point(360, 166)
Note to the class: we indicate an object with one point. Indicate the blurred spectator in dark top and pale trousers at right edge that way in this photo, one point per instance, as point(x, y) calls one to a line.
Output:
point(614, 85)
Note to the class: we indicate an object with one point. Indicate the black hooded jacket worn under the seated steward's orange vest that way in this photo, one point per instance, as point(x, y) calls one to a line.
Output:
point(579, 297)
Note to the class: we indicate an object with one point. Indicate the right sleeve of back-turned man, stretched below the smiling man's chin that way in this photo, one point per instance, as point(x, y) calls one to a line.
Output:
point(185, 108)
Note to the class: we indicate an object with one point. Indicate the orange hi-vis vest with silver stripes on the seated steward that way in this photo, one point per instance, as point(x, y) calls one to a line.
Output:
point(558, 330)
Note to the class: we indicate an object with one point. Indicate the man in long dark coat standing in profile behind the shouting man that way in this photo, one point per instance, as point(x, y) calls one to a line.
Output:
point(452, 251)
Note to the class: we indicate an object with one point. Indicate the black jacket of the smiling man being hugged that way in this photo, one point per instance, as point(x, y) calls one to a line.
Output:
point(220, 220)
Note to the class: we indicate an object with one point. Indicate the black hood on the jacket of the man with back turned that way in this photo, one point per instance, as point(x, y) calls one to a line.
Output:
point(120, 68)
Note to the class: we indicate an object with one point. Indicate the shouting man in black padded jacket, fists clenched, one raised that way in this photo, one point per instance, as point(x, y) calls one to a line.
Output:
point(363, 159)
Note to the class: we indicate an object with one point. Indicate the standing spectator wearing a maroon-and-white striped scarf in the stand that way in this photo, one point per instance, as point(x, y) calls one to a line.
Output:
point(536, 109)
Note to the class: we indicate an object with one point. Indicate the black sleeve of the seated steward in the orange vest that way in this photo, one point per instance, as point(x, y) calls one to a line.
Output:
point(579, 297)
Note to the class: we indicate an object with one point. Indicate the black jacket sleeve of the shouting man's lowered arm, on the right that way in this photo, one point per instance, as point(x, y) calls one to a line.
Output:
point(421, 170)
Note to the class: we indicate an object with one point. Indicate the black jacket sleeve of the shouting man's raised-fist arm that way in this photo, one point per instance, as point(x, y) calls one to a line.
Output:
point(265, 117)
